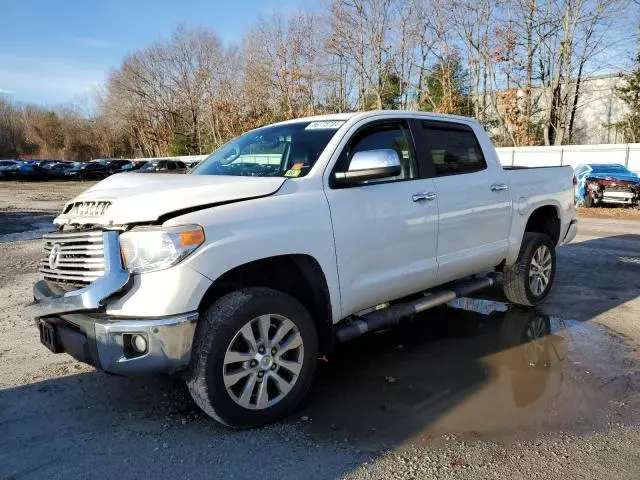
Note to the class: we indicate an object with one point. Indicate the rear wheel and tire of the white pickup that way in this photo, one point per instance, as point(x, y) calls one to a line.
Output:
point(529, 280)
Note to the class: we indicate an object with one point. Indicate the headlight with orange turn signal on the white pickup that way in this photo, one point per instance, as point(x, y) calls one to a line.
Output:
point(146, 249)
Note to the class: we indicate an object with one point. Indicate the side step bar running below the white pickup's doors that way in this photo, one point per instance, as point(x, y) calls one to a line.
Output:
point(380, 319)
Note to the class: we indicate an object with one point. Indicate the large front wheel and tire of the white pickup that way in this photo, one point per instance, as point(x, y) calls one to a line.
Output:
point(253, 358)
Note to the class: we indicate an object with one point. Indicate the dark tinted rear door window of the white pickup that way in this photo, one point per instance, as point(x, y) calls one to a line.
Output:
point(453, 149)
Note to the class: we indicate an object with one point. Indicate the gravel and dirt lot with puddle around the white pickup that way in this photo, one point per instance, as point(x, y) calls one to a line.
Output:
point(452, 395)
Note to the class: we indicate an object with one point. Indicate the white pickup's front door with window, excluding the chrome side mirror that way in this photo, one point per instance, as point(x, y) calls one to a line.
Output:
point(385, 230)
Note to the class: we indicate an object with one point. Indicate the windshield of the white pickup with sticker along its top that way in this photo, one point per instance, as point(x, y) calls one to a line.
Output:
point(288, 150)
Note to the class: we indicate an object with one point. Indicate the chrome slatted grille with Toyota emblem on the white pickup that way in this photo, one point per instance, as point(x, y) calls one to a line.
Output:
point(79, 257)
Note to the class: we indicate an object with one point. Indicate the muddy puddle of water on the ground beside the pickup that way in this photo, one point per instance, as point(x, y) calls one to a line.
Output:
point(476, 368)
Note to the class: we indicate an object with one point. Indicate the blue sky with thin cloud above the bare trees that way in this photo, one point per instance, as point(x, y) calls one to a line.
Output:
point(59, 51)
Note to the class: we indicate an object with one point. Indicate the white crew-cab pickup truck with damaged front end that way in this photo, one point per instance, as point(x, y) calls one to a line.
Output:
point(240, 274)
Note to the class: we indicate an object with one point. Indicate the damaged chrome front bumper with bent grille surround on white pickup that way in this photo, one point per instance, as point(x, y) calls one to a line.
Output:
point(75, 323)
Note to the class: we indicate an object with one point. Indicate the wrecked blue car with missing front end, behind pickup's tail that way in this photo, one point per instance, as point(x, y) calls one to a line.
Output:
point(608, 183)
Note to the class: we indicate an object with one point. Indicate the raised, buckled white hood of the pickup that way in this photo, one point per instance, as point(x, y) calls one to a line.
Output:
point(133, 197)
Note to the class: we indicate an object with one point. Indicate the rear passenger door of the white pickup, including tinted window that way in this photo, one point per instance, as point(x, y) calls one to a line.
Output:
point(474, 203)
